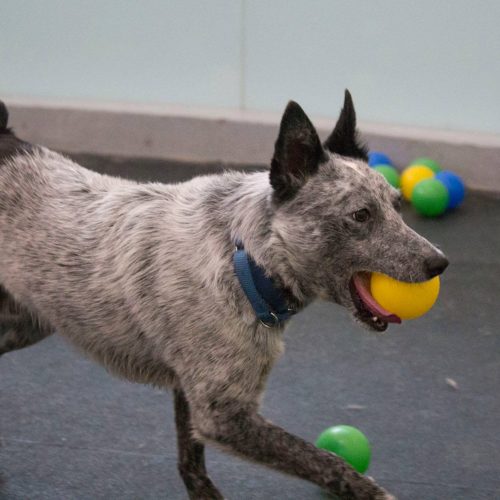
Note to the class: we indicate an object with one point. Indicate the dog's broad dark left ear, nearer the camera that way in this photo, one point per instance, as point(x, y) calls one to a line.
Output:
point(297, 152)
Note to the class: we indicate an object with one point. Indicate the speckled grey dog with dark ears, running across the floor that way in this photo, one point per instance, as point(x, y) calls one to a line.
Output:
point(140, 277)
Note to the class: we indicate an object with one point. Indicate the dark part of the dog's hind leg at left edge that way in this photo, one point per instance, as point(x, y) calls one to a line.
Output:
point(18, 326)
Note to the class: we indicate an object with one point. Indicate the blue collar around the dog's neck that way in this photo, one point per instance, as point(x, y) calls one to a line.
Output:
point(266, 298)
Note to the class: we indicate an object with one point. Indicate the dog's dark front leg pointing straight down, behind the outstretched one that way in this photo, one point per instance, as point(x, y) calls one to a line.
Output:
point(191, 454)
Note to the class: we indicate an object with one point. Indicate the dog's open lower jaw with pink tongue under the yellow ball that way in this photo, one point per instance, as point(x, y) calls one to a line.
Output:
point(368, 310)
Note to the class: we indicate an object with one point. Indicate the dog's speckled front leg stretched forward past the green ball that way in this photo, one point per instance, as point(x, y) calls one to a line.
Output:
point(241, 430)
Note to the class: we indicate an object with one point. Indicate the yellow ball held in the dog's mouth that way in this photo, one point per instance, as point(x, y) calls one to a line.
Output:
point(406, 300)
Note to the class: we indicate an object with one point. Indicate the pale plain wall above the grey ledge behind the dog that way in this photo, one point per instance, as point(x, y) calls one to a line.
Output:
point(422, 63)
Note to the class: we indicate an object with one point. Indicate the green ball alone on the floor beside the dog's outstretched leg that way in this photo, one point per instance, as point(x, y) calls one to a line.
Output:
point(349, 443)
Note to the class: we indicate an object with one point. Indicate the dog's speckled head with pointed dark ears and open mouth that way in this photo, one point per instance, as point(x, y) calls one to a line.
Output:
point(337, 220)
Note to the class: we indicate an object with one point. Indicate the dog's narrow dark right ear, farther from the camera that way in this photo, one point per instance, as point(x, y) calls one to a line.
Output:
point(344, 138)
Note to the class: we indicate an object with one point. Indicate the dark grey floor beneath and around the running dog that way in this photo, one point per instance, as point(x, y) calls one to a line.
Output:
point(69, 430)
